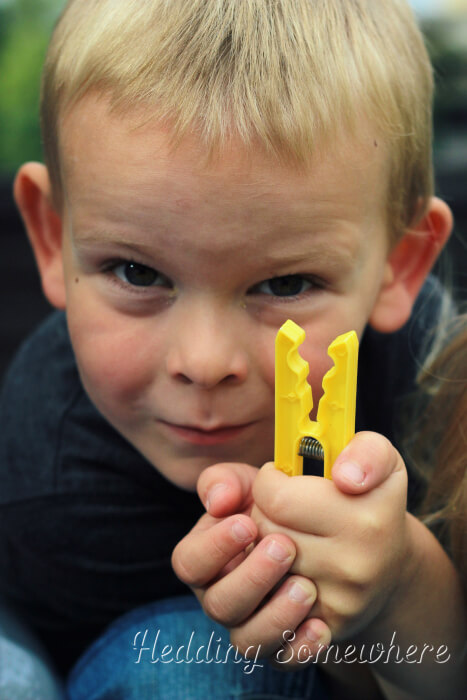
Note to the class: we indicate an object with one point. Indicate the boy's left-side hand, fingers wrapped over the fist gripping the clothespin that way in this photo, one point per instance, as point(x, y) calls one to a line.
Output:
point(241, 586)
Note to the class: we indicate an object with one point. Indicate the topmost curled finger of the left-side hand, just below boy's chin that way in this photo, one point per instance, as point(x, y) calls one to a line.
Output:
point(225, 489)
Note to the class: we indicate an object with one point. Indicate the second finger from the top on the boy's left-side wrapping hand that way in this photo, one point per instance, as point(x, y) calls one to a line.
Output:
point(203, 553)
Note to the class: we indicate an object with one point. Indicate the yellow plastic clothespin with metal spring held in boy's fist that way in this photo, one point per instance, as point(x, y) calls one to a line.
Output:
point(295, 434)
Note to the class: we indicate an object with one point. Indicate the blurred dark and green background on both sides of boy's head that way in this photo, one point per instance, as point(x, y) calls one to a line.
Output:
point(25, 26)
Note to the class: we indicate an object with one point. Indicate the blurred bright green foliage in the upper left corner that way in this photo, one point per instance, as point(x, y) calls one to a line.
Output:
point(25, 27)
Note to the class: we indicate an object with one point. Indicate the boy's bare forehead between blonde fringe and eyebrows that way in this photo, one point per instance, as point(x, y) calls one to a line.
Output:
point(108, 159)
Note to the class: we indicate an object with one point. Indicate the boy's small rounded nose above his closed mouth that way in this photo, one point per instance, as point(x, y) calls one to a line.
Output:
point(206, 349)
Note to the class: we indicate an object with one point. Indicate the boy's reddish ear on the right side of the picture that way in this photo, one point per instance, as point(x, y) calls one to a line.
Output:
point(408, 266)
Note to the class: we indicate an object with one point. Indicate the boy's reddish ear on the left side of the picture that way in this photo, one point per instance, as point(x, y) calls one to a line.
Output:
point(32, 194)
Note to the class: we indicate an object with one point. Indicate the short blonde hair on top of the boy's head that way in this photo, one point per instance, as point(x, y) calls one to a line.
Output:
point(285, 74)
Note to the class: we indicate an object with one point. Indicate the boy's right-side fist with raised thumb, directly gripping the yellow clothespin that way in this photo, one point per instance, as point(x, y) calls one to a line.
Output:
point(351, 534)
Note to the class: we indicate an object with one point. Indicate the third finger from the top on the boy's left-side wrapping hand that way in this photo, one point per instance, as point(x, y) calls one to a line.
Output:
point(236, 596)
